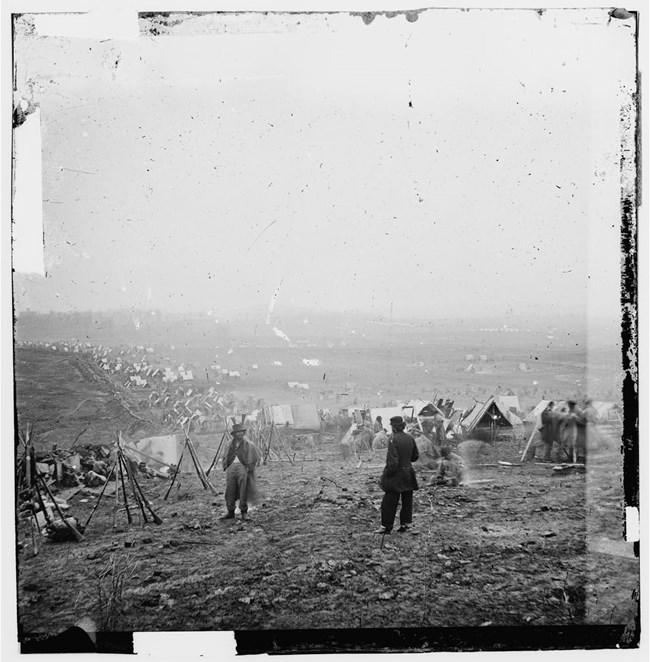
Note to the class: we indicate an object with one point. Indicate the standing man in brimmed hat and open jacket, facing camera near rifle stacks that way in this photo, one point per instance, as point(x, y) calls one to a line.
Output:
point(239, 464)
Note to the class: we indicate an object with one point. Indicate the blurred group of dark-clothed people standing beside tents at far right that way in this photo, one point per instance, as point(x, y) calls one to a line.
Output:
point(565, 431)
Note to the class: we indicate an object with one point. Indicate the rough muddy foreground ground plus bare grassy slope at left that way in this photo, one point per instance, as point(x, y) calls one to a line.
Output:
point(521, 546)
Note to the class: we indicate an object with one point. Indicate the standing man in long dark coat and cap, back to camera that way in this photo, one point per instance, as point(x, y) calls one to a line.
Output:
point(398, 479)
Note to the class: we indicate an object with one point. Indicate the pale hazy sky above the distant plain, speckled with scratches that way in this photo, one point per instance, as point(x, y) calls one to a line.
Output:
point(467, 162)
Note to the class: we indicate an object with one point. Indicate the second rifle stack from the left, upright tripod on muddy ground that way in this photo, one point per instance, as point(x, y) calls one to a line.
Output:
point(128, 488)
